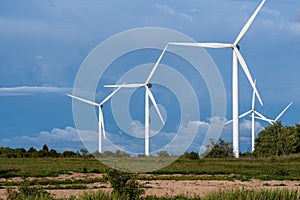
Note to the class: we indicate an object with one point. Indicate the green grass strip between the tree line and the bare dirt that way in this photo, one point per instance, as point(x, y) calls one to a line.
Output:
point(275, 168)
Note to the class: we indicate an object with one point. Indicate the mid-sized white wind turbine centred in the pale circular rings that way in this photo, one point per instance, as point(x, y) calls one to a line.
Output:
point(148, 94)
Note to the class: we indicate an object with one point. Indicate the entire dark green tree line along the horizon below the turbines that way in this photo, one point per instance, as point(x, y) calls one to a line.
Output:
point(274, 140)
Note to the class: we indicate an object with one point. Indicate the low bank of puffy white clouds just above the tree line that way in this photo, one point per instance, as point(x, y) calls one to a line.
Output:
point(190, 137)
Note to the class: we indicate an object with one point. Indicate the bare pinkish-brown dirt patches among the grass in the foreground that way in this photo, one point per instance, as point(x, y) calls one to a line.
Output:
point(168, 187)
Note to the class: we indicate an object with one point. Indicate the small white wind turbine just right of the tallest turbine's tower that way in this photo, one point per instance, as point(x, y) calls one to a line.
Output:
point(253, 112)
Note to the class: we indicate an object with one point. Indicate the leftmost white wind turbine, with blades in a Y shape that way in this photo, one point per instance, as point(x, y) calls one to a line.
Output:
point(101, 128)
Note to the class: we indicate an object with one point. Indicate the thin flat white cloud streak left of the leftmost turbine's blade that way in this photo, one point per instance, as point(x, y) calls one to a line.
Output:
point(31, 90)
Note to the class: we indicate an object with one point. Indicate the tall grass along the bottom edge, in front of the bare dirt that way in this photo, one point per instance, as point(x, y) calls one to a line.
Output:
point(235, 194)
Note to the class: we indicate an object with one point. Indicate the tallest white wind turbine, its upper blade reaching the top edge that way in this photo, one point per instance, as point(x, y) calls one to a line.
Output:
point(237, 57)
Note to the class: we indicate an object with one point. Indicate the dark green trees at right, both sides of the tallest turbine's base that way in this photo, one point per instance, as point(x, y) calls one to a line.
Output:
point(274, 140)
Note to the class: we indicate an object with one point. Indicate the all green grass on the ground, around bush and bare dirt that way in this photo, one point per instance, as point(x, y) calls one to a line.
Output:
point(244, 169)
